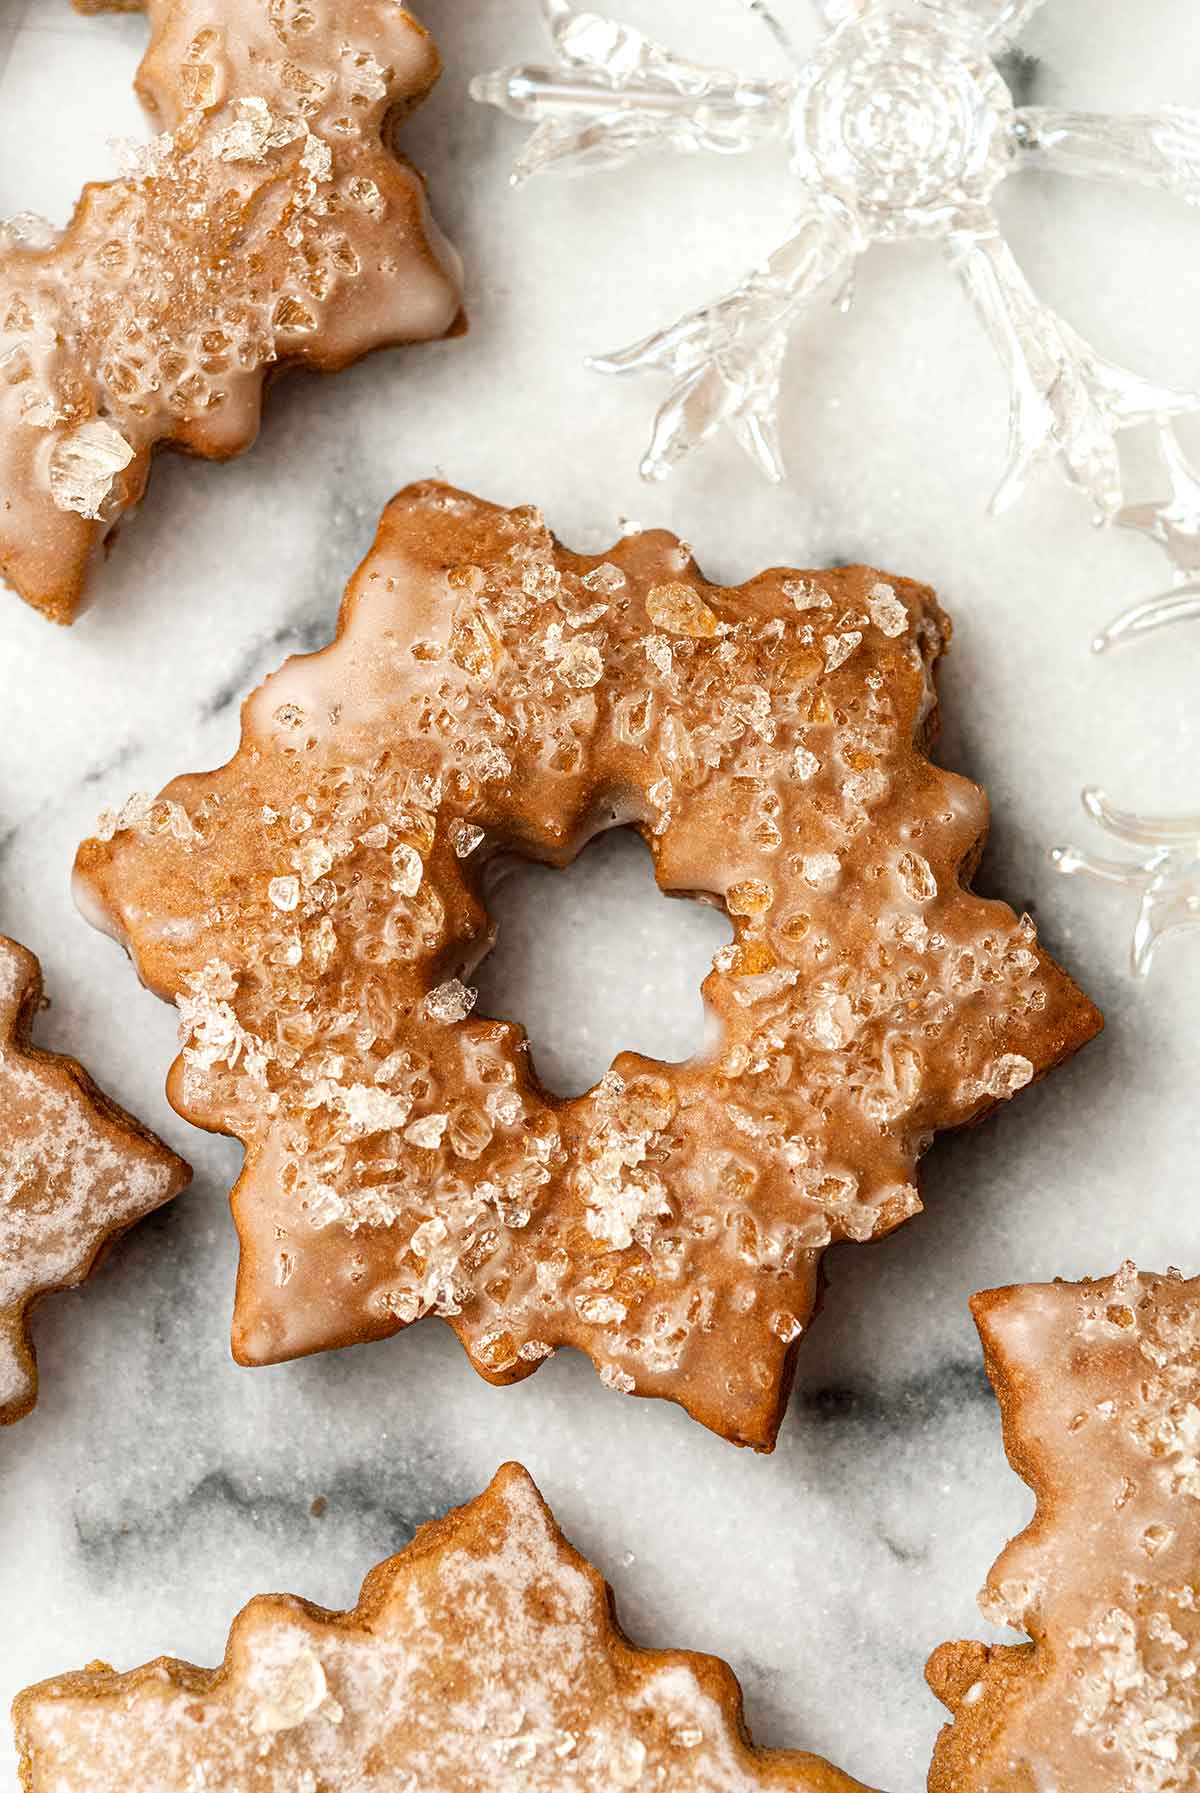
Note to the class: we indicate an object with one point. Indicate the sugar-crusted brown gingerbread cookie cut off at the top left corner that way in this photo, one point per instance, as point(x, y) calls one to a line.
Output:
point(268, 225)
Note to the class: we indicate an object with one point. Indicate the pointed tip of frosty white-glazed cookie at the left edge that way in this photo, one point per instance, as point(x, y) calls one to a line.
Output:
point(74, 1174)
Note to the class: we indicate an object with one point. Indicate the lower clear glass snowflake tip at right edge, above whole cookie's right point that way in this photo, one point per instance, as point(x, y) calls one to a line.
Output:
point(1165, 874)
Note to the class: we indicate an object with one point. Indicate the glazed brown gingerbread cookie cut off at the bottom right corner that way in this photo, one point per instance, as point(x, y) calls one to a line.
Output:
point(1100, 1396)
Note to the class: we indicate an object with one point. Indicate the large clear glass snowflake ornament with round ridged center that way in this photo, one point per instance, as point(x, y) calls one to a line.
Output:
point(900, 126)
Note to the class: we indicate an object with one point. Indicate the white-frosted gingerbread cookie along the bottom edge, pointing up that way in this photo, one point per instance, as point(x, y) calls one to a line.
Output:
point(482, 1659)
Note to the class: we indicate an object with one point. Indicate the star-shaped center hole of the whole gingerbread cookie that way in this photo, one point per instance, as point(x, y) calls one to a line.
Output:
point(596, 960)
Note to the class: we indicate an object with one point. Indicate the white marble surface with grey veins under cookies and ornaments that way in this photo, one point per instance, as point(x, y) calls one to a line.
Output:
point(157, 1487)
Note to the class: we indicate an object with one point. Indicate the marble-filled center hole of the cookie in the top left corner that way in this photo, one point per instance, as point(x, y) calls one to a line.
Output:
point(57, 65)
